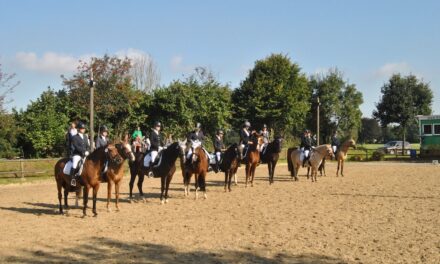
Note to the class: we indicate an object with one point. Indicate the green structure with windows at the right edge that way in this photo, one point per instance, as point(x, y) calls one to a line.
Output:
point(429, 135)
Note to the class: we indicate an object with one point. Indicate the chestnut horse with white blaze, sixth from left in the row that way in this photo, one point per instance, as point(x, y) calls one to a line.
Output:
point(252, 158)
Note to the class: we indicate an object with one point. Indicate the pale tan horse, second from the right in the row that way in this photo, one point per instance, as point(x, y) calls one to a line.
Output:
point(316, 157)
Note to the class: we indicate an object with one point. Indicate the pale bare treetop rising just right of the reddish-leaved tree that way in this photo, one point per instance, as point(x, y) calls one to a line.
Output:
point(145, 74)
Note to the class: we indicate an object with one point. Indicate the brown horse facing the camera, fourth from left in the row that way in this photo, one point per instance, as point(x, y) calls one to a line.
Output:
point(199, 167)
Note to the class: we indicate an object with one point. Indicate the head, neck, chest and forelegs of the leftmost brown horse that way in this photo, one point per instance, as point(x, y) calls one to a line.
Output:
point(93, 166)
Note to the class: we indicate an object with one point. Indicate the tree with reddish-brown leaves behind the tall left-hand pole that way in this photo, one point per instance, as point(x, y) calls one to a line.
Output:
point(115, 97)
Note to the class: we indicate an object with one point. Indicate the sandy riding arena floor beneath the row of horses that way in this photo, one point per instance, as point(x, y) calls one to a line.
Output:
point(377, 213)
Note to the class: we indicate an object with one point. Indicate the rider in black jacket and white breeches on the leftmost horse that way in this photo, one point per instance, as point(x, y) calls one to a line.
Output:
point(80, 150)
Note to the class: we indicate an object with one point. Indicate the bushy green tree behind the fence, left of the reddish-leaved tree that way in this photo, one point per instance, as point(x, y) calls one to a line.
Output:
point(44, 125)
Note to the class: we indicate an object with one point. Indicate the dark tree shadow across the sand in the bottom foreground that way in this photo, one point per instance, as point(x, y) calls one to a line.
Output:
point(104, 250)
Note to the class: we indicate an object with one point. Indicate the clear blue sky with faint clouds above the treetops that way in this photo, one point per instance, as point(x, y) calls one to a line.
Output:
point(366, 40)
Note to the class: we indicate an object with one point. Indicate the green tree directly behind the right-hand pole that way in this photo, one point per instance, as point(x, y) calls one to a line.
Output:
point(340, 102)
